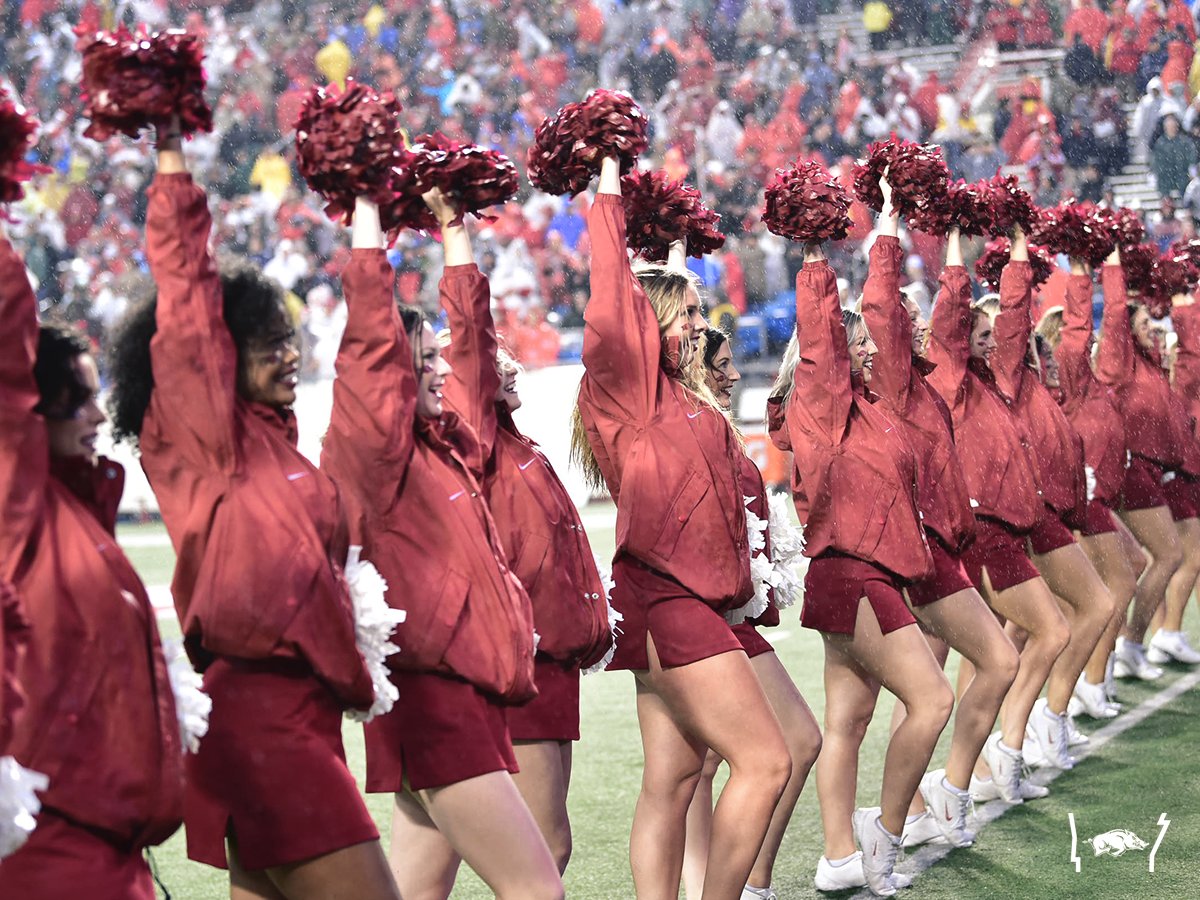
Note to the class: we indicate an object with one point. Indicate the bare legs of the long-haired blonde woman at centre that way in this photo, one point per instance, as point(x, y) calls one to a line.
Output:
point(715, 704)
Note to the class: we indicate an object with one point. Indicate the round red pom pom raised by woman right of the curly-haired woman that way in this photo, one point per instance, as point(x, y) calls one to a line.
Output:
point(347, 143)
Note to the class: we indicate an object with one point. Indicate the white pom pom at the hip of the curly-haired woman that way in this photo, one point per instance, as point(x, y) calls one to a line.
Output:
point(375, 623)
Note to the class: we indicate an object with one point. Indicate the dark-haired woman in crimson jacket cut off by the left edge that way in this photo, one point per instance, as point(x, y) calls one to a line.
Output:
point(99, 722)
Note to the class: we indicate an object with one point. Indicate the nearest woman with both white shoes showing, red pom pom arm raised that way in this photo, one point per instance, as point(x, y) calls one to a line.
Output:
point(855, 489)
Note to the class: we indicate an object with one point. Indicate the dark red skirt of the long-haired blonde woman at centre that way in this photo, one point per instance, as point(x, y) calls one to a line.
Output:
point(686, 629)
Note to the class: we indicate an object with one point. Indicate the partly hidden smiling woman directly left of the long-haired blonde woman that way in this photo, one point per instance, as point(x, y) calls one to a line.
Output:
point(548, 549)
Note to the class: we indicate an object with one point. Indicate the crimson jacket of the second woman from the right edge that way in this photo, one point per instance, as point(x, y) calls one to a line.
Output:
point(1139, 381)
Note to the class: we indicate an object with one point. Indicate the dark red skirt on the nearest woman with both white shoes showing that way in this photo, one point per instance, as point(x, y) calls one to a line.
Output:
point(836, 584)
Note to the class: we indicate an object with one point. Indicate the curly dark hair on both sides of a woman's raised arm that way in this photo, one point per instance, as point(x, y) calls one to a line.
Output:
point(253, 307)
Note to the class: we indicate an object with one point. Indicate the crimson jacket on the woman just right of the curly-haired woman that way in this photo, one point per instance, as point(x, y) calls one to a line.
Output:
point(419, 509)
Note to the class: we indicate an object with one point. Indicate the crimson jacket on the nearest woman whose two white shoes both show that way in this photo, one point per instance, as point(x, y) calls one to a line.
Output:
point(855, 475)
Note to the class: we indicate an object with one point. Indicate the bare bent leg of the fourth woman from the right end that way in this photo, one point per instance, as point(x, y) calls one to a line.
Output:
point(1089, 610)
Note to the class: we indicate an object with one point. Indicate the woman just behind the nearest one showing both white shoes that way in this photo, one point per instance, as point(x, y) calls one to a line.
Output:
point(946, 603)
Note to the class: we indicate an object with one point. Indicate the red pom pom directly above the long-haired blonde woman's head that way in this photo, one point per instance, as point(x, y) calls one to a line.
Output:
point(659, 212)
